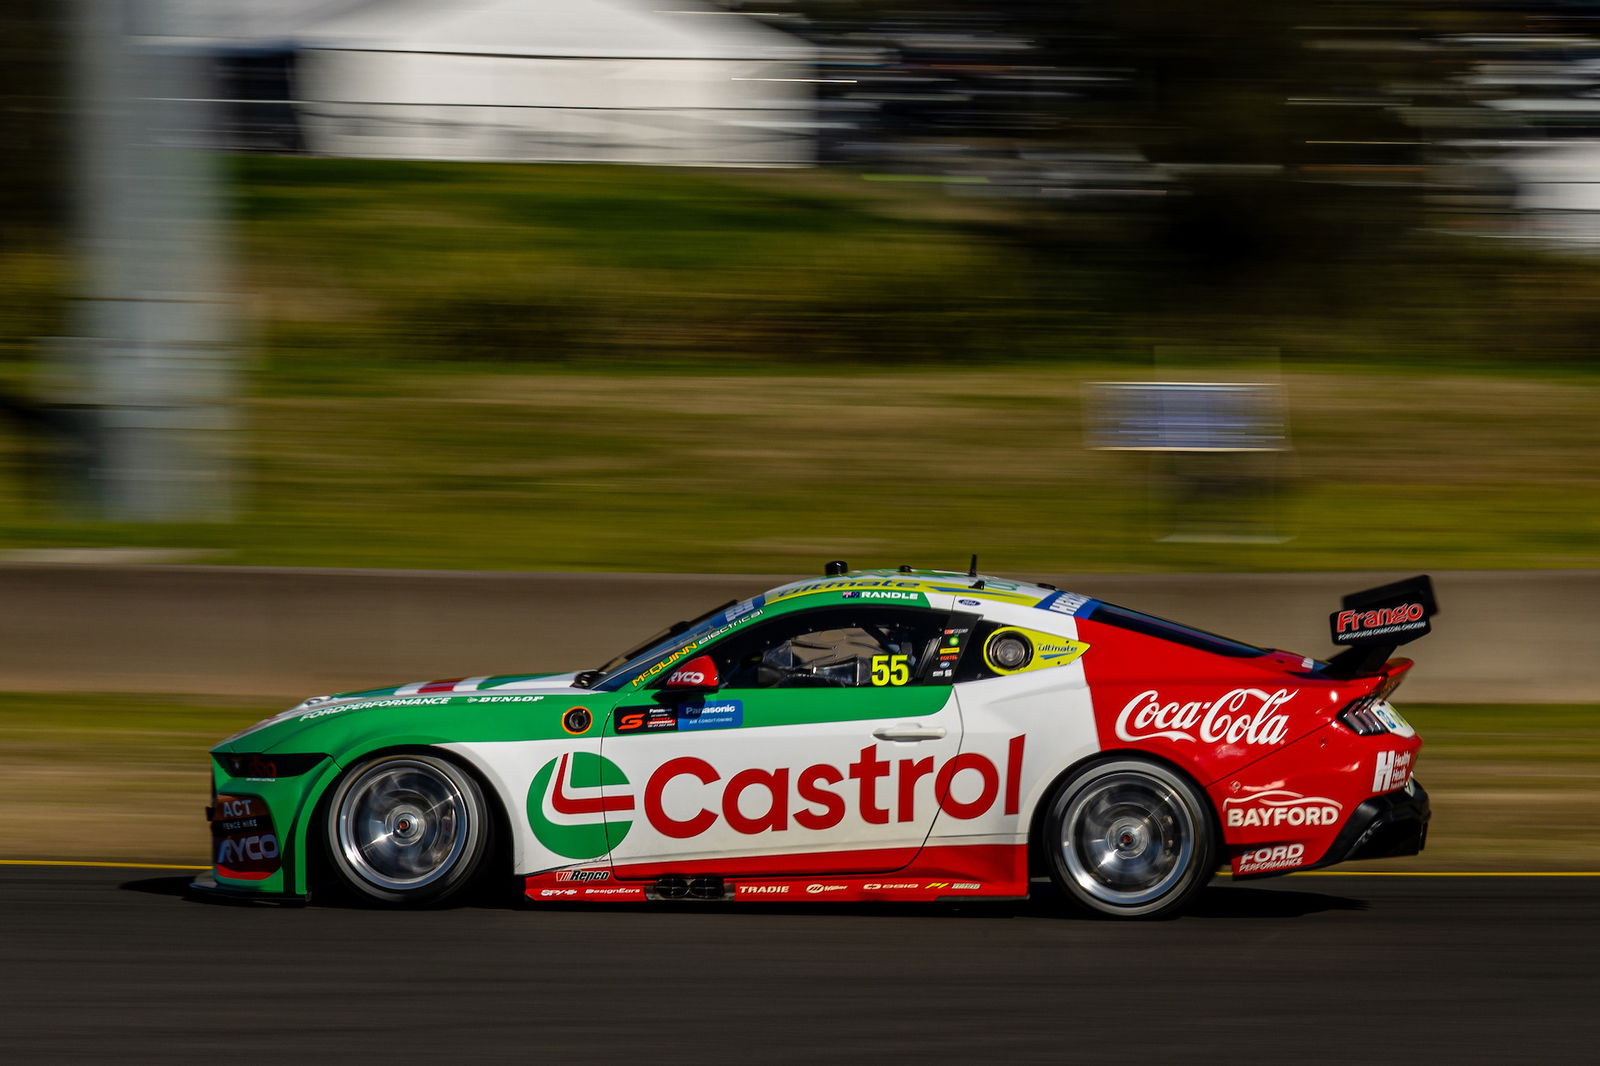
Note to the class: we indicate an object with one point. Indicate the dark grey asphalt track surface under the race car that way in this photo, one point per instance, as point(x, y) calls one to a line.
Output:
point(118, 966)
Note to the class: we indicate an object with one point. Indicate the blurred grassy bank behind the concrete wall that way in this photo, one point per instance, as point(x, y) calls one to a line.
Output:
point(633, 369)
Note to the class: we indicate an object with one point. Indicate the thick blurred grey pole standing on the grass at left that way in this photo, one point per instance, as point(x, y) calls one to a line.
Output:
point(153, 367)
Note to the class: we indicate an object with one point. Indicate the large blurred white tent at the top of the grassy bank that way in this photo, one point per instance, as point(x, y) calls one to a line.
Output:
point(609, 81)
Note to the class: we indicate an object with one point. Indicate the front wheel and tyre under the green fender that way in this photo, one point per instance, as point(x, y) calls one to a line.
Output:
point(407, 830)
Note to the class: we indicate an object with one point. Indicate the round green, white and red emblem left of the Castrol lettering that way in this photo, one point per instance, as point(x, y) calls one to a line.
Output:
point(569, 804)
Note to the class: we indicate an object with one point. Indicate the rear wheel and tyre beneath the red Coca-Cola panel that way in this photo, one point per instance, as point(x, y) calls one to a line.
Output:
point(1130, 838)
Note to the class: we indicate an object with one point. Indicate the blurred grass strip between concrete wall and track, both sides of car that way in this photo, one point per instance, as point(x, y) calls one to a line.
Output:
point(89, 777)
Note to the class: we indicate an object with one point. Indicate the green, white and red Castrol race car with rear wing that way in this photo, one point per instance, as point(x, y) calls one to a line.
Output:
point(871, 735)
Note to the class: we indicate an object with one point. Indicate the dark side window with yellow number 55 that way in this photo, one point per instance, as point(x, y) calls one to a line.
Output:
point(839, 647)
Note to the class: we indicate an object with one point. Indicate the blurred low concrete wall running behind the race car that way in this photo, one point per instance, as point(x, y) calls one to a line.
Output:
point(1502, 636)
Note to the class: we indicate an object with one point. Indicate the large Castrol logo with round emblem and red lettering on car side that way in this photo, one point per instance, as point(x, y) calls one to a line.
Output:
point(570, 796)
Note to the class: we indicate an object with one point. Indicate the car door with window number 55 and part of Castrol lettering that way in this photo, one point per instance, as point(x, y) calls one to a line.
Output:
point(820, 742)
